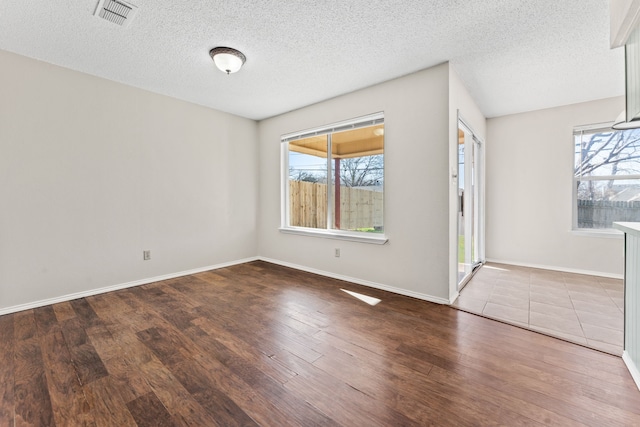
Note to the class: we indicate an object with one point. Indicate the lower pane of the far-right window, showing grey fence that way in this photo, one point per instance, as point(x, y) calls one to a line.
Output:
point(602, 202)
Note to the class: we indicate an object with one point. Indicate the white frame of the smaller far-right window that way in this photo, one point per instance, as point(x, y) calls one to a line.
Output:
point(575, 229)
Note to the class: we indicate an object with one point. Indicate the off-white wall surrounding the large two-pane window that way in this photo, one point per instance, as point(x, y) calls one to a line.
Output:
point(416, 259)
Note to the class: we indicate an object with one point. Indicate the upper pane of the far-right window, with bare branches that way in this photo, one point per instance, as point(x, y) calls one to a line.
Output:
point(605, 153)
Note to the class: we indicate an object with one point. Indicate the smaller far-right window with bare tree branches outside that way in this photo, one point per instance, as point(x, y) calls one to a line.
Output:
point(606, 177)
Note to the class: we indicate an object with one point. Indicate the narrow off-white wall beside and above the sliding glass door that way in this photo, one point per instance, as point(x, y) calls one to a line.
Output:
point(460, 103)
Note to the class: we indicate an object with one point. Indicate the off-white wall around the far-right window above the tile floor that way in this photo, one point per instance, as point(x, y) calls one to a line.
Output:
point(529, 166)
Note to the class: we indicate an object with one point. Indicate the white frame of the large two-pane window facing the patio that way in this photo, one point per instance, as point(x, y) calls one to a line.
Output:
point(330, 233)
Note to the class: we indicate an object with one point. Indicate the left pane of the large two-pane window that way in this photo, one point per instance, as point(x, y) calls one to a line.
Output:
point(308, 182)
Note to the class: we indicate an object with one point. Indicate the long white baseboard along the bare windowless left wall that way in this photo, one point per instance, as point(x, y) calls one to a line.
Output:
point(91, 292)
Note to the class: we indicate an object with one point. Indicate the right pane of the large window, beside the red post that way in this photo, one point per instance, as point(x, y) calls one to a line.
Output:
point(358, 179)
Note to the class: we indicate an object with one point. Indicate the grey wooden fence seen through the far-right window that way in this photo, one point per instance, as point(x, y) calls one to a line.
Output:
point(602, 213)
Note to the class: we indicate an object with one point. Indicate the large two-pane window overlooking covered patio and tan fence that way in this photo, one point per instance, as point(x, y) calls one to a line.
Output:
point(334, 180)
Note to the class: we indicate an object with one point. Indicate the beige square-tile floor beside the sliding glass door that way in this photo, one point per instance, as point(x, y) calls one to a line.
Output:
point(587, 310)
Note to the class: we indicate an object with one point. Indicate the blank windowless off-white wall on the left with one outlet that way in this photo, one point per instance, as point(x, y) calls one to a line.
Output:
point(93, 172)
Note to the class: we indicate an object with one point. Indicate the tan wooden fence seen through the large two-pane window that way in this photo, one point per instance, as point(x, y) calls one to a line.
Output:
point(359, 208)
